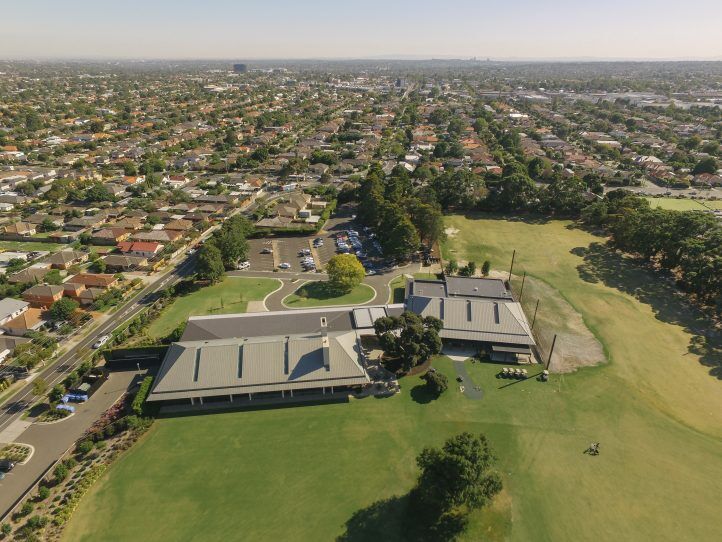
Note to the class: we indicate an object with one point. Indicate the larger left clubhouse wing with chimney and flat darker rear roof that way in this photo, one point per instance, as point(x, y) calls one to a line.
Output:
point(241, 358)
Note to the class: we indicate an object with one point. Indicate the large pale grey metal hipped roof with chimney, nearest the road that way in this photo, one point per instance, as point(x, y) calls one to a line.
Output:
point(258, 364)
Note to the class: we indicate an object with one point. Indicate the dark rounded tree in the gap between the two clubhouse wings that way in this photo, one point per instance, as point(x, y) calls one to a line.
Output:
point(409, 338)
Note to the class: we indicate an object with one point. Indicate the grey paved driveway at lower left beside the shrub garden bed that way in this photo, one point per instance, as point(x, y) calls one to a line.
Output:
point(52, 440)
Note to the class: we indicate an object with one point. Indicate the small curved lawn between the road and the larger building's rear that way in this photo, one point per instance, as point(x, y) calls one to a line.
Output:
point(228, 296)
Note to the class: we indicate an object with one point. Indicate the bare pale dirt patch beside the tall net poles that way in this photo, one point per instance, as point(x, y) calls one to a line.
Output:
point(576, 345)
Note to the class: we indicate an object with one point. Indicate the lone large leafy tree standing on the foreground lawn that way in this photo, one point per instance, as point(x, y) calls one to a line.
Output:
point(457, 475)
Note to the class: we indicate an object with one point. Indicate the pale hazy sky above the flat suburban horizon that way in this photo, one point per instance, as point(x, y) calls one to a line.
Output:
point(248, 29)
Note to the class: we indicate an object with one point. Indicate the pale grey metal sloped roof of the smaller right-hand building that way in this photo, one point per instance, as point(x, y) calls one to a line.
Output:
point(476, 319)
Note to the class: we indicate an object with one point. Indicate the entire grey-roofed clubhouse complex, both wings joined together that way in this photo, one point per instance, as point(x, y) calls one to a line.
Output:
point(317, 353)
